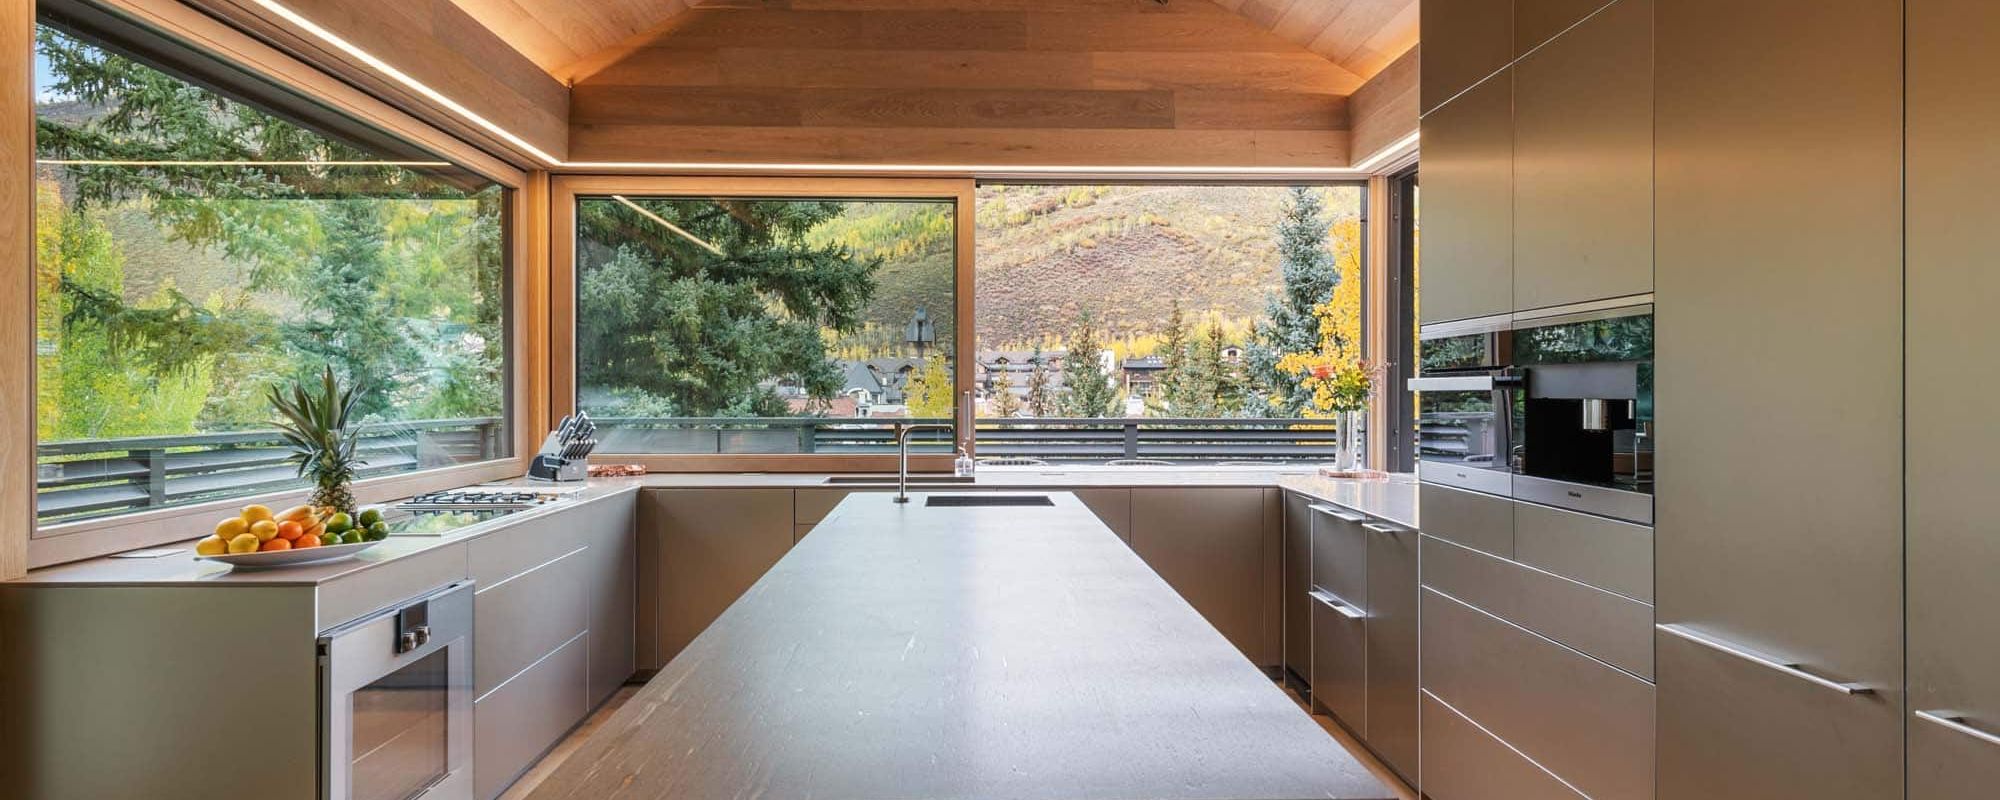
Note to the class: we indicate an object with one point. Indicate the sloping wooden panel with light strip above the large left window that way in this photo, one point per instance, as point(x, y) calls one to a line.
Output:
point(435, 43)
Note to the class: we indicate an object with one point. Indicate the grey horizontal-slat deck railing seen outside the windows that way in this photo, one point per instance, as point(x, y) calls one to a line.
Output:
point(121, 475)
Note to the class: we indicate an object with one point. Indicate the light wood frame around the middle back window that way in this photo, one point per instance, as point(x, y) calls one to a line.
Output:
point(563, 301)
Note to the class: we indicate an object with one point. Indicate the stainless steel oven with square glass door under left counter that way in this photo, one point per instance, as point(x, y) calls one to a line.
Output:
point(397, 703)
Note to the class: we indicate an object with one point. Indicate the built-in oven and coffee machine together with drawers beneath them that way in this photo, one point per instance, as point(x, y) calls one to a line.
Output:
point(1535, 443)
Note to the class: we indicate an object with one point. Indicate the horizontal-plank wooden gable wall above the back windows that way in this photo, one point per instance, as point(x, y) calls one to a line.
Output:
point(1103, 83)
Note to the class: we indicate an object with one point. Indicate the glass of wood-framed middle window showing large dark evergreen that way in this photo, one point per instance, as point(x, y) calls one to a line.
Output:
point(765, 325)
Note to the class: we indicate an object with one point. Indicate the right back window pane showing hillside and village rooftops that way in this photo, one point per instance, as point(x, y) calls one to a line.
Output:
point(1145, 323)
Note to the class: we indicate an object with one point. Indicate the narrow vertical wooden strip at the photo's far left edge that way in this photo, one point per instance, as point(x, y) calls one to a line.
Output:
point(17, 285)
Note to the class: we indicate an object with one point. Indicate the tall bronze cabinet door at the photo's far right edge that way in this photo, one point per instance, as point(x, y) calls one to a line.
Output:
point(1953, 553)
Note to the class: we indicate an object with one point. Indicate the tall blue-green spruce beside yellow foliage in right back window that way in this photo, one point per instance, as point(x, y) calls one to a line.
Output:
point(1289, 321)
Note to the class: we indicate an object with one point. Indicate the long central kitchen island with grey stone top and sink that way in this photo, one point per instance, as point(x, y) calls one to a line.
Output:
point(911, 651)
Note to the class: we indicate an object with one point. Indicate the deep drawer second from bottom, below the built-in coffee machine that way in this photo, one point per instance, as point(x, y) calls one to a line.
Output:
point(1573, 715)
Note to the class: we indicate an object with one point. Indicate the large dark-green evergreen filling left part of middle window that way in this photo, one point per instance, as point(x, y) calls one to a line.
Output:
point(709, 333)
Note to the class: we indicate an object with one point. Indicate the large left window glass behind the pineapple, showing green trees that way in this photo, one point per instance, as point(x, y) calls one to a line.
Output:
point(195, 249)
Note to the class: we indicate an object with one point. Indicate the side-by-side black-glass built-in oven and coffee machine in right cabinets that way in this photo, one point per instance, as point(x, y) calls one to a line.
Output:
point(1553, 411)
